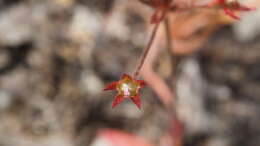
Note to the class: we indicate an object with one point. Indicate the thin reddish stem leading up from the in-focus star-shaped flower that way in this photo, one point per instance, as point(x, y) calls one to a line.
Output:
point(146, 50)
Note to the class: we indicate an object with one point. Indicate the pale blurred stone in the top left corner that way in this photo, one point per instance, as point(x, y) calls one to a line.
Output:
point(16, 25)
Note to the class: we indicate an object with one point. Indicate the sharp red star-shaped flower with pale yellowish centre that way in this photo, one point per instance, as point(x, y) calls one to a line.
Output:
point(127, 87)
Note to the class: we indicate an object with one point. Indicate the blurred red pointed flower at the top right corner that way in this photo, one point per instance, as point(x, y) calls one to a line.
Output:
point(230, 7)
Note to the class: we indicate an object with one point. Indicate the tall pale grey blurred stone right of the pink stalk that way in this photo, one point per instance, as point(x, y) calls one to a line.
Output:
point(191, 91)
